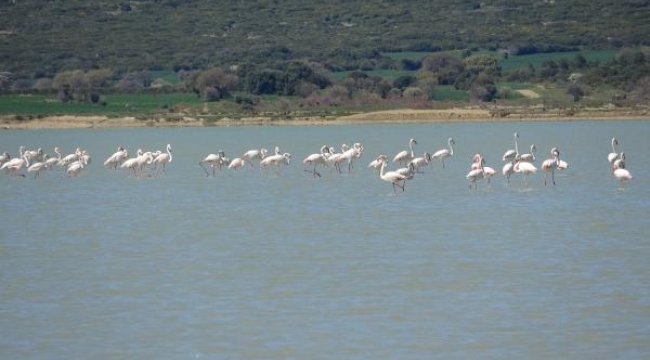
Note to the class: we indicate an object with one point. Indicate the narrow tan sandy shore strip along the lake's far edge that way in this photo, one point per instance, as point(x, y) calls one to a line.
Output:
point(390, 116)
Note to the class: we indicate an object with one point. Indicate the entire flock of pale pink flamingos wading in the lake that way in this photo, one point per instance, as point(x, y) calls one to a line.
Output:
point(146, 162)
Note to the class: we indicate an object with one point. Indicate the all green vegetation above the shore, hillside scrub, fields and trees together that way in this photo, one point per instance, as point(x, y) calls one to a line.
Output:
point(334, 53)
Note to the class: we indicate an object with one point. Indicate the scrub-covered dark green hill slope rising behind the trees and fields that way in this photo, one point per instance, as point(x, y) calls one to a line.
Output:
point(42, 37)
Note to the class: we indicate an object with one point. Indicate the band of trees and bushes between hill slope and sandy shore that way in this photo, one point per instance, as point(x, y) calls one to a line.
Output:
point(314, 83)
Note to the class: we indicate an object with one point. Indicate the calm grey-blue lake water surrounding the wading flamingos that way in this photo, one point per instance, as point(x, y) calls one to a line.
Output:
point(247, 265)
